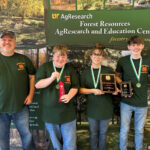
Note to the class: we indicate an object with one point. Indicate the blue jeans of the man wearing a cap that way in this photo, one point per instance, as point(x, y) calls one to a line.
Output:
point(21, 121)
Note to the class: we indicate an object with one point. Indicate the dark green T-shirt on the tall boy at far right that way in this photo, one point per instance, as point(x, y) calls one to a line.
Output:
point(139, 98)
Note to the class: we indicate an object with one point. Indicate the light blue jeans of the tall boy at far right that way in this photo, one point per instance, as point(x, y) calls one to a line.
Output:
point(140, 114)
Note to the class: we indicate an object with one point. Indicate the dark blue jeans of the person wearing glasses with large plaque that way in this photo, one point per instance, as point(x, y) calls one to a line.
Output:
point(98, 133)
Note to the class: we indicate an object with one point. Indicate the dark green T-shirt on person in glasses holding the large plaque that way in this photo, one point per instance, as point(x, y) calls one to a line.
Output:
point(98, 106)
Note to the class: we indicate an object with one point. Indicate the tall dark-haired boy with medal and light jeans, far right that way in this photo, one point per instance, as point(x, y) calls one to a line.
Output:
point(134, 68)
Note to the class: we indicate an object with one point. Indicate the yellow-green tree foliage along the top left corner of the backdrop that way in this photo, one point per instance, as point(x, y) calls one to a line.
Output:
point(24, 8)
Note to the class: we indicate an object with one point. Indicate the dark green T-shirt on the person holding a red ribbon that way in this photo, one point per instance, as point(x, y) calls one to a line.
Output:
point(51, 110)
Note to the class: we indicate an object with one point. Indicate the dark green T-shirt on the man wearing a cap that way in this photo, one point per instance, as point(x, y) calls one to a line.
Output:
point(14, 82)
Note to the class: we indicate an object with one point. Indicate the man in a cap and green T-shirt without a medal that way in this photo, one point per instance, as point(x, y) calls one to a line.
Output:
point(16, 91)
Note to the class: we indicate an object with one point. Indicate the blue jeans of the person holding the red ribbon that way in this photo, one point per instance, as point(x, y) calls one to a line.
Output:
point(63, 136)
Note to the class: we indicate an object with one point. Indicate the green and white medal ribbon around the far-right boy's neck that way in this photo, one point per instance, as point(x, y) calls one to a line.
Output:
point(138, 75)
